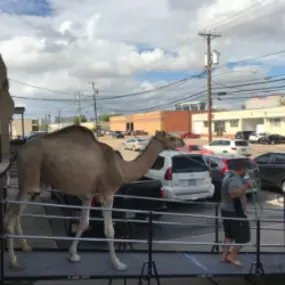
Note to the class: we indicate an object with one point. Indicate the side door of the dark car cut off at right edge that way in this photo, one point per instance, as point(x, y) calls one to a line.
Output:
point(276, 169)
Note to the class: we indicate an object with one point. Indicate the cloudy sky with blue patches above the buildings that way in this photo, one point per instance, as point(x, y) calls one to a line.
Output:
point(54, 49)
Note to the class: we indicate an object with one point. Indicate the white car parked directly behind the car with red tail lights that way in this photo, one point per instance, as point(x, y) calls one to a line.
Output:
point(236, 146)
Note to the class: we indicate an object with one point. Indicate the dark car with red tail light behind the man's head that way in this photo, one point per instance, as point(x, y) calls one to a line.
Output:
point(222, 163)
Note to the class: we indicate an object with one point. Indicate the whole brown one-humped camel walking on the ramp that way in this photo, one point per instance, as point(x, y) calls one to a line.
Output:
point(76, 163)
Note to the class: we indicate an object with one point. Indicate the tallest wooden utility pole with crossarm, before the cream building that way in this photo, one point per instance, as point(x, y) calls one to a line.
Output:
point(209, 36)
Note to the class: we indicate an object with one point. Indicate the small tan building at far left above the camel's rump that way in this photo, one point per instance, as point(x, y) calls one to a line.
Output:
point(19, 127)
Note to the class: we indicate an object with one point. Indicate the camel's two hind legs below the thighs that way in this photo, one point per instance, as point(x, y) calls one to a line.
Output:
point(12, 224)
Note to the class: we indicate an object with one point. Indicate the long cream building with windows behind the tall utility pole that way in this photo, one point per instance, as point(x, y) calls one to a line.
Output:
point(272, 120)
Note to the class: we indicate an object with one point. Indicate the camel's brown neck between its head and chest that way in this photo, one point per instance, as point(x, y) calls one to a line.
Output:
point(137, 168)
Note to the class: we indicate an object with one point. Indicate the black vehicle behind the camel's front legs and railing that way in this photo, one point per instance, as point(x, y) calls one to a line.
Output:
point(143, 187)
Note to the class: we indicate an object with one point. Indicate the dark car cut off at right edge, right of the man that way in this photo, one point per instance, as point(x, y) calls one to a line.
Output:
point(272, 169)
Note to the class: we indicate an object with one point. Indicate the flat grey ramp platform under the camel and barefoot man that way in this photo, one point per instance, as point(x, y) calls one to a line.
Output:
point(52, 264)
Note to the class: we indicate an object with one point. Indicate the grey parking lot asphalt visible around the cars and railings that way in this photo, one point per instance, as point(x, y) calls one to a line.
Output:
point(196, 229)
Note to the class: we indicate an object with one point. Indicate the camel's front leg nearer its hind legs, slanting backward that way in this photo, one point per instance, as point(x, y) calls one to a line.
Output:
point(83, 225)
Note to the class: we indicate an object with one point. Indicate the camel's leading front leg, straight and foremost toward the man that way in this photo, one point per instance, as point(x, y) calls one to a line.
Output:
point(110, 233)
